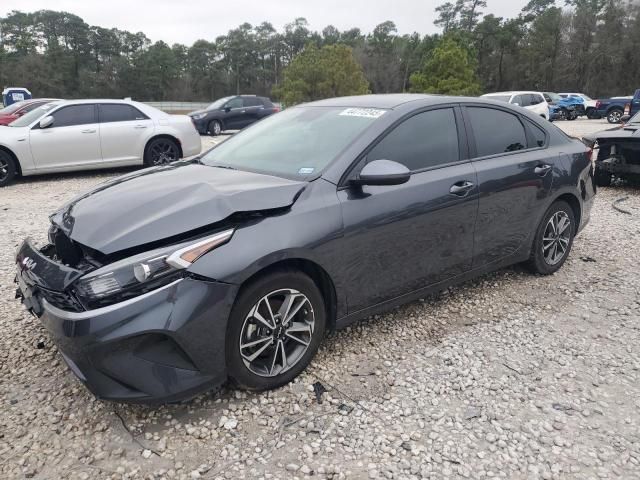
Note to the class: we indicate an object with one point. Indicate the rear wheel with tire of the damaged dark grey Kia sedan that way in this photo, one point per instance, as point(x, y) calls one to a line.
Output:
point(553, 240)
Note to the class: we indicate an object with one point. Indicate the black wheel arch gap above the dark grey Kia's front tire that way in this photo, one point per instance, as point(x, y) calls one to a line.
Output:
point(317, 273)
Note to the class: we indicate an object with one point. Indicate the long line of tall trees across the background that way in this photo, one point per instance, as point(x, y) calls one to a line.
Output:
point(576, 45)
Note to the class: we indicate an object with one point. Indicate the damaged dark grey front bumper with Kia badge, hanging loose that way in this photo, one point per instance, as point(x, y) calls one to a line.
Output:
point(162, 346)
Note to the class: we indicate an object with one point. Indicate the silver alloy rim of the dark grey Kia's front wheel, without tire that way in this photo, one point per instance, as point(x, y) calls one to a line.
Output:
point(277, 332)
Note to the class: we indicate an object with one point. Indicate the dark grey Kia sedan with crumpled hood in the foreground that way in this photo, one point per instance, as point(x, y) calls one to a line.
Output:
point(166, 282)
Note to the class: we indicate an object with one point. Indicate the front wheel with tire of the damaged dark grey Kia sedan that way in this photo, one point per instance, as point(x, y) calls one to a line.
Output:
point(275, 329)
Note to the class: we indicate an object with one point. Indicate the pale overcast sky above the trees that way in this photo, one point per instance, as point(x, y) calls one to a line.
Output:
point(185, 21)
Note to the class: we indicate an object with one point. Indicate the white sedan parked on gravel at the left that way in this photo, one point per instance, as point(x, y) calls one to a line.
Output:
point(88, 134)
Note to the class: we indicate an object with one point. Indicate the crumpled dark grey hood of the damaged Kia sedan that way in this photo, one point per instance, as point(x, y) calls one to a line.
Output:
point(159, 203)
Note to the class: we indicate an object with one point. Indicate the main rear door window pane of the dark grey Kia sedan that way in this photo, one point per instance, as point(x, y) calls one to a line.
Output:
point(496, 131)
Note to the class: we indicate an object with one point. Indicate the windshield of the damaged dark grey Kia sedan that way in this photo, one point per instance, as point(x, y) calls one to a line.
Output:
point(296, 143)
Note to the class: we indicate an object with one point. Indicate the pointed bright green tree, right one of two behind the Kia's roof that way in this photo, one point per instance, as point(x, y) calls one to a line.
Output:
point(448, 71)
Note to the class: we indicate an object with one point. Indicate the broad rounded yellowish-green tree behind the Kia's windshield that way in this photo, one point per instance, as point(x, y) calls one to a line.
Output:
point(316, 73)
